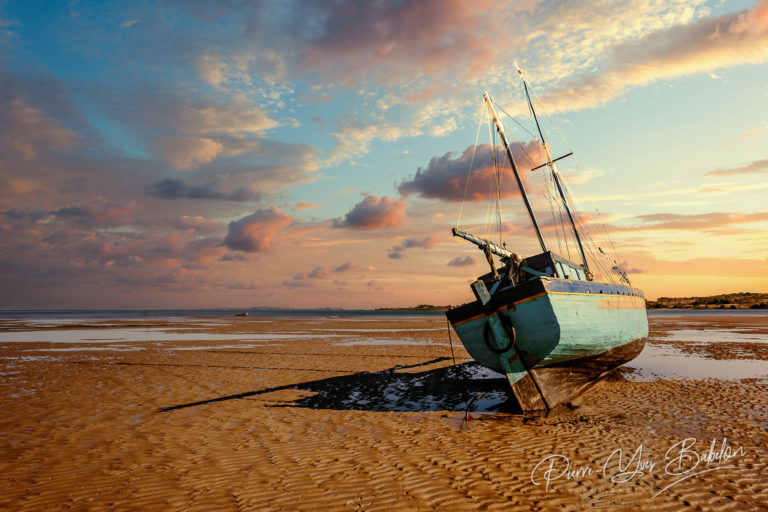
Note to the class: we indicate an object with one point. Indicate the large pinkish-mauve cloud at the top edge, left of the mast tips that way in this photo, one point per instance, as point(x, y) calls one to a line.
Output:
point(393, 40)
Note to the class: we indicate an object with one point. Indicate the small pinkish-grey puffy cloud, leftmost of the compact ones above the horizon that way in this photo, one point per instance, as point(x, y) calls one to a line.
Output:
point(257, 232)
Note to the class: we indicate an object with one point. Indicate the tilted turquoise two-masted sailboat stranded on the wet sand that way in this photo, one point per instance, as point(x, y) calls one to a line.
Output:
point(549, 324)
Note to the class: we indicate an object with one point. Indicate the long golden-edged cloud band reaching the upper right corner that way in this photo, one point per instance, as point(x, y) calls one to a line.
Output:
point(702, 46)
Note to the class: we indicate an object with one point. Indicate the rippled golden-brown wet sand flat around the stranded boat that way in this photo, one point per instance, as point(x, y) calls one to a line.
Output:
point(368, 413)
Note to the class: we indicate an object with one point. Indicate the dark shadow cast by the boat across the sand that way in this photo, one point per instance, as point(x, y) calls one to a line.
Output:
point(452, 388)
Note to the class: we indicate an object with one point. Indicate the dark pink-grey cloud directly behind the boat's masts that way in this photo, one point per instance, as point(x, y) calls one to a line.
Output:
point(446, 177)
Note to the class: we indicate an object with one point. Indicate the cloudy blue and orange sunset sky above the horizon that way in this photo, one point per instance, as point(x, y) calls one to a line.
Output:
point(308, 154)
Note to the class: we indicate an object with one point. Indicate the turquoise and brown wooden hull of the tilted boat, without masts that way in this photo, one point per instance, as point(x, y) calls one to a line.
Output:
point(567, 334)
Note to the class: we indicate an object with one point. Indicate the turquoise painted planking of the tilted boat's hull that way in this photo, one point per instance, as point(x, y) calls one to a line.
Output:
point(557, 327)
